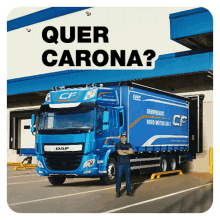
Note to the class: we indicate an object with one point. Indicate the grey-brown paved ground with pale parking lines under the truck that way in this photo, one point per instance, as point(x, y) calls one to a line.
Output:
point(29, 193)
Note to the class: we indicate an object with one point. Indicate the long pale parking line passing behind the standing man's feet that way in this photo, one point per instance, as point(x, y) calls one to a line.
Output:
point(80, 193)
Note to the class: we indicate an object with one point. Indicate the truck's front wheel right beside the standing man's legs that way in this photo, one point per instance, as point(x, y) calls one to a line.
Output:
point(111, 176)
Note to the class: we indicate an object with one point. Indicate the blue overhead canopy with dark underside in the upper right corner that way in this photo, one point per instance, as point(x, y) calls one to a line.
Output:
point(192, 28)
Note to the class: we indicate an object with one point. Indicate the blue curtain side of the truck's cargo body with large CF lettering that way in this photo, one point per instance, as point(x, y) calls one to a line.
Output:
point(157, 122)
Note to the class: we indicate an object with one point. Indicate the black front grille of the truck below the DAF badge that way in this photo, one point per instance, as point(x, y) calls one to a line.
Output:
point(63, 161)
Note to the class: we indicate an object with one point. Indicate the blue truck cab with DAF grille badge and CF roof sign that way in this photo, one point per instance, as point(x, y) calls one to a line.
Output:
point(76, 133)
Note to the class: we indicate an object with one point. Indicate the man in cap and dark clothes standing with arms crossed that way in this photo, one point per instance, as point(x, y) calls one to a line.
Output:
point(123, 150)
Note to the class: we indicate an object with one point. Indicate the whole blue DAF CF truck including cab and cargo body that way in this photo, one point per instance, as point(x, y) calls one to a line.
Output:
point(77, 129)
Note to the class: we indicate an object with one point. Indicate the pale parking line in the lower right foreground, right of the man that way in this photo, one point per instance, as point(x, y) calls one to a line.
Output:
point(151, 200)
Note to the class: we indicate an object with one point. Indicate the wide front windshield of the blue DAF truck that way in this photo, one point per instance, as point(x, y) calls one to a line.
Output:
point(82, 121)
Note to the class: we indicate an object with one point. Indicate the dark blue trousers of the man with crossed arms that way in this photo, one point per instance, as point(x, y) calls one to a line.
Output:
point(123, 167)
